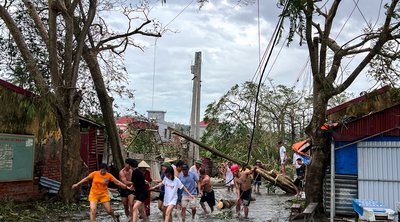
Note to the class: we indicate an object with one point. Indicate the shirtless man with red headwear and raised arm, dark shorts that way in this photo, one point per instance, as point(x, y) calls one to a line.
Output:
point(243, 182)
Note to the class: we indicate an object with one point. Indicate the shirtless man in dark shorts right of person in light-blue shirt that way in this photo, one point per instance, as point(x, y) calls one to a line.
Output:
point(206, 191)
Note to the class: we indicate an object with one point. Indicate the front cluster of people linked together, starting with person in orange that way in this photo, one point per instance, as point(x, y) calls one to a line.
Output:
point(179, 187)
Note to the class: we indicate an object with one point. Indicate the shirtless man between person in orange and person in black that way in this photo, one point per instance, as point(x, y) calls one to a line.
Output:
point(125, 175)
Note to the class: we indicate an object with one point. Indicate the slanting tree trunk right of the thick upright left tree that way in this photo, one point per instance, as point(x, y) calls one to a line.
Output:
point(90, 56)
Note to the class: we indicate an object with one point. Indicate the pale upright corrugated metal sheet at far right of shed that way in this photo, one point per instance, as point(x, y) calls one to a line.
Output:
point(379, 171)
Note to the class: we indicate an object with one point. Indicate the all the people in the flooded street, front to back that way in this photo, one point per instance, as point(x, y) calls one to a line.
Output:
point(179, 186)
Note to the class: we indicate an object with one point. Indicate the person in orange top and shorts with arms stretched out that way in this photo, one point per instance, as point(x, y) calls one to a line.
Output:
point(99, 191)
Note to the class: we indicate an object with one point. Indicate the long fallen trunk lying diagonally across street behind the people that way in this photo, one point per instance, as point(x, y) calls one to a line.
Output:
point(283, 182)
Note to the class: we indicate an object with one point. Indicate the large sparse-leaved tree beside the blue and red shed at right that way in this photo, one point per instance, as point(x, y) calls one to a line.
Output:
point(313, 22)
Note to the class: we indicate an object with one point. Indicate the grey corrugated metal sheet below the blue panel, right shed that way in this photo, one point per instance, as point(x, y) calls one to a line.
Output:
point(346, 190)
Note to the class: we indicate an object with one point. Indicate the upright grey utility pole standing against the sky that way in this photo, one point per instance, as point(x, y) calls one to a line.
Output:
point(195, 115)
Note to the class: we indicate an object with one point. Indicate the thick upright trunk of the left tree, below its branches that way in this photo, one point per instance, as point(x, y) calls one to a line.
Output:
point(71, 162)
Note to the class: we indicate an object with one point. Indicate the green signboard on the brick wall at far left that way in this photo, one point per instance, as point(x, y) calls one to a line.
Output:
point(16, 157)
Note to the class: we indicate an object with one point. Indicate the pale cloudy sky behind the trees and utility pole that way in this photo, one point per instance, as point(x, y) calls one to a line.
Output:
point(227, 35)
